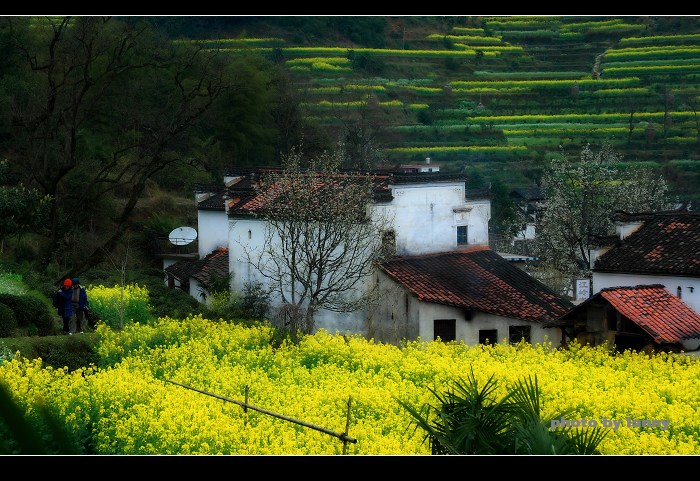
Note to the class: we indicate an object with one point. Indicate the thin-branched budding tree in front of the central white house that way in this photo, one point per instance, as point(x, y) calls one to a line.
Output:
point(321, 237)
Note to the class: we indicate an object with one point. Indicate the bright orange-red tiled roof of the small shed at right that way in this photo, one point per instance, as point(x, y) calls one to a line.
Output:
point(662, 315)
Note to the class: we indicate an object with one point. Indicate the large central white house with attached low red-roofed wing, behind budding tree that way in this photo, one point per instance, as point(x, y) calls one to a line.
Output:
point(439, 232)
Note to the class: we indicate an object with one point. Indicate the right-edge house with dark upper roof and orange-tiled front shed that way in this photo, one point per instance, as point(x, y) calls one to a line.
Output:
point(645, 283)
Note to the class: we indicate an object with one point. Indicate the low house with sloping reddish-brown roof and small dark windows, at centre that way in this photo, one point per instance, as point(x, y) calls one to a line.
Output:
point(472, 295)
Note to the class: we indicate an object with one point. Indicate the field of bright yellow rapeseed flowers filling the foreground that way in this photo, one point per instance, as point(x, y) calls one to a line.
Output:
point(178, 387)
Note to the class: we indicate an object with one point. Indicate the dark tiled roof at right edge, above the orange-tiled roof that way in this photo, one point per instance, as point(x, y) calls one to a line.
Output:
point(666, 243)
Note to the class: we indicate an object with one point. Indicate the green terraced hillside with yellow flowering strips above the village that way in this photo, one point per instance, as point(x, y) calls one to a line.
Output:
point(500, 95)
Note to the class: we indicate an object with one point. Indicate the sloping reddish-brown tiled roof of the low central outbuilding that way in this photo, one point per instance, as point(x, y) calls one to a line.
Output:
point(476, 278)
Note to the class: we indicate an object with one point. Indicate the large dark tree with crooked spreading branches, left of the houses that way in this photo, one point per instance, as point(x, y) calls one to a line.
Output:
point(102, 107)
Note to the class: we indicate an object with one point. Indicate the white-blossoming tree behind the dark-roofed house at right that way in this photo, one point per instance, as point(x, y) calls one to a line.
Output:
point(581, 196)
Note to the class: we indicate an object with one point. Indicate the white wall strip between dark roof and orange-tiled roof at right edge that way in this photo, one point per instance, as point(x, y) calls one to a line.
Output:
point(601, 280)
